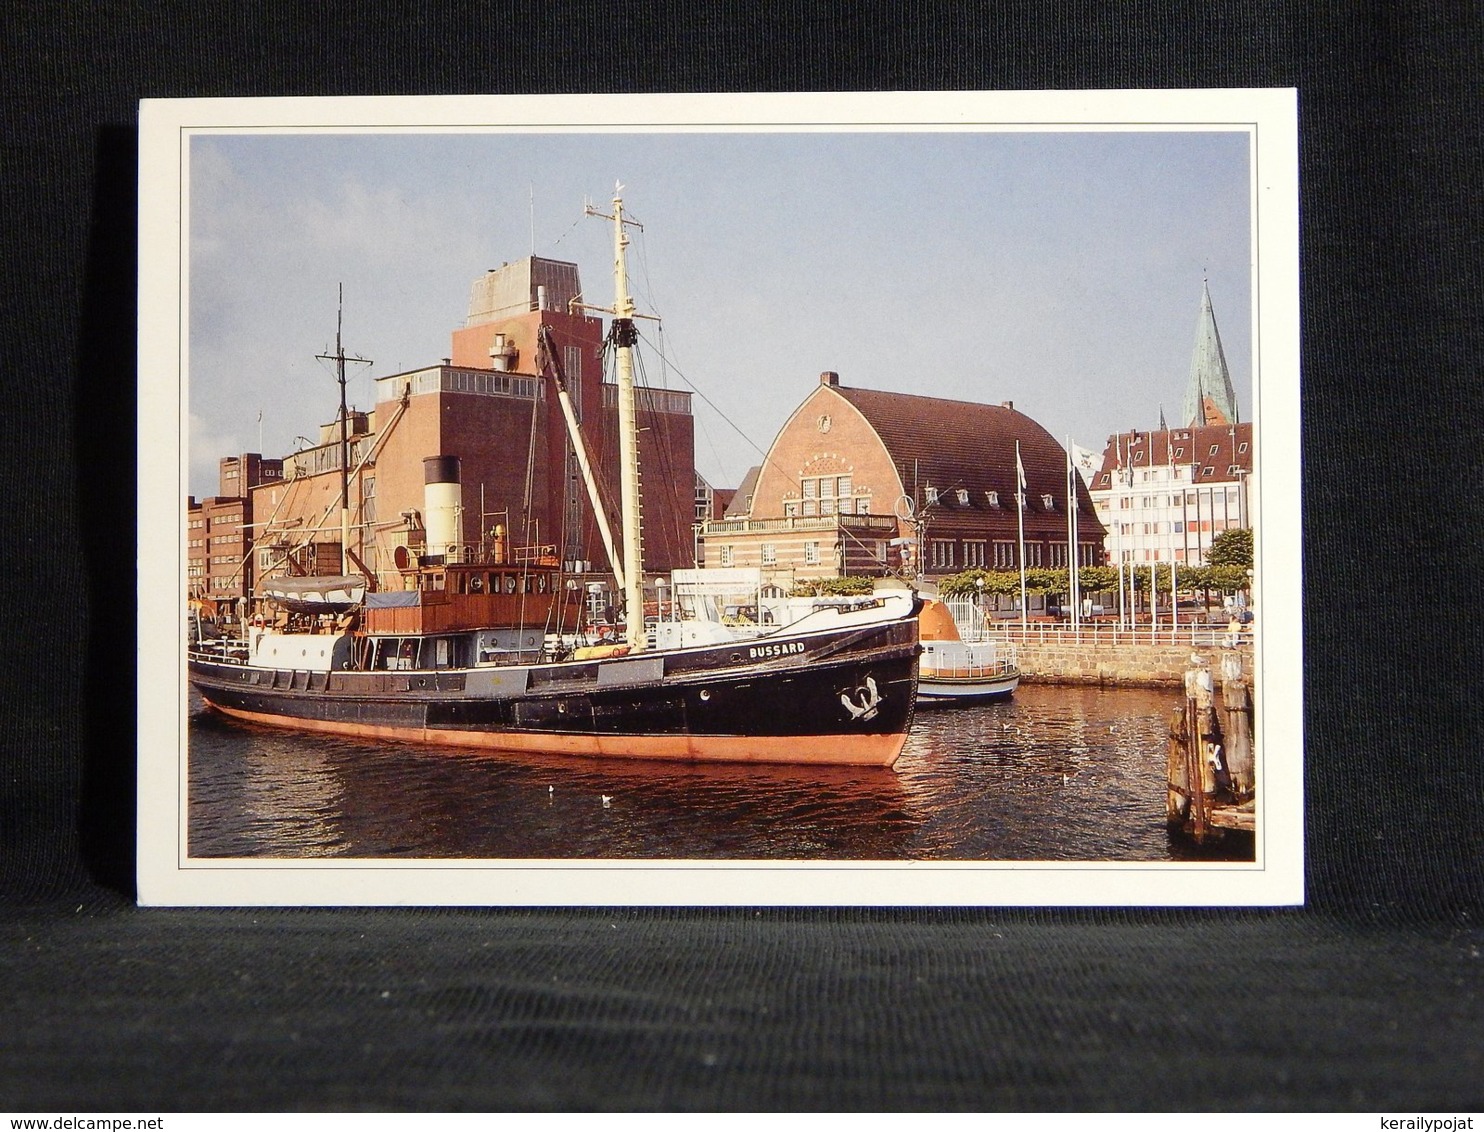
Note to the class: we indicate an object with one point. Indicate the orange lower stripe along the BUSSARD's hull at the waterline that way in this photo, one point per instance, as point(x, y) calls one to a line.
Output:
point(823, 750)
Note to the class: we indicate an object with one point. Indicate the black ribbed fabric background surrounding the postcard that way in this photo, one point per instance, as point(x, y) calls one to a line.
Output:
point(1366, 999)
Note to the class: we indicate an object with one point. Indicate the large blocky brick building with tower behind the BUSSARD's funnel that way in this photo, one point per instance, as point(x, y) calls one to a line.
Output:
point(489, 407)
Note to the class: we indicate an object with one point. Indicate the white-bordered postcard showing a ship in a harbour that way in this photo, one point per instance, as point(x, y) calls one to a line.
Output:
point(833, 499)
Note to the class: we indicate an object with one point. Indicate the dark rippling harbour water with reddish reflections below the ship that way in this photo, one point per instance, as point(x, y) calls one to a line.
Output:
point(1056, 774)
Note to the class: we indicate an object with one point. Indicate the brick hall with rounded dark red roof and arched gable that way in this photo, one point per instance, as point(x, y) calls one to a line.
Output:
point(867, 483)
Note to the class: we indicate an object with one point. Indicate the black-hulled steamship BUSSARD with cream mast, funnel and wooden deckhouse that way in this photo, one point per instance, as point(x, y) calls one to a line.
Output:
point(458, 657)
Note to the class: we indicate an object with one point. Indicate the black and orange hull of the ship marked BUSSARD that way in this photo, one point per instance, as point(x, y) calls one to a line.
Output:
point(839, 698)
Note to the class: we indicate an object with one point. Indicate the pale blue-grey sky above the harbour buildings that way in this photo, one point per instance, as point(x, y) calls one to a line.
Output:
point(1060, 271)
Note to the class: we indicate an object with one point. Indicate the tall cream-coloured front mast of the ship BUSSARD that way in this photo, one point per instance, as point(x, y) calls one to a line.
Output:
point(626, 338)
